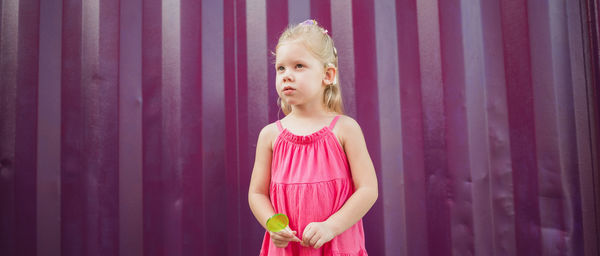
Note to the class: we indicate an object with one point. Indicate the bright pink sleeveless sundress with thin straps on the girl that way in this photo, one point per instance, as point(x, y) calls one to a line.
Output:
point(311, 180)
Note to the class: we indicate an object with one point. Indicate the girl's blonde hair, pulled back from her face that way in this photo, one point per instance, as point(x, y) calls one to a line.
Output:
point(316, 40)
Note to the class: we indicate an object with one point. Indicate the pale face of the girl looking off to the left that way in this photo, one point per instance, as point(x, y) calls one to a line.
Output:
point(300, 76)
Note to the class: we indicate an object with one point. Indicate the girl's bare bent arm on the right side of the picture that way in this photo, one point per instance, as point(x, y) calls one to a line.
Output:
point(363, 176)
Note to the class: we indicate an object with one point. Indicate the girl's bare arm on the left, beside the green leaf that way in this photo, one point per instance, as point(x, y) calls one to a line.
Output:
point(258, 194)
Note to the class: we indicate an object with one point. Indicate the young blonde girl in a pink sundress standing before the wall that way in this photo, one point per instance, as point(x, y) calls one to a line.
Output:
point(312, 165)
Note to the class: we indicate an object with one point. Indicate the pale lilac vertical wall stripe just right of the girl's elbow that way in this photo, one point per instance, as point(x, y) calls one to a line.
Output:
point(390, 122)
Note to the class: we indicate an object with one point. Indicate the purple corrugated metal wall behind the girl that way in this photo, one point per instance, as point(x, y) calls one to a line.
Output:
point(129, 127)
